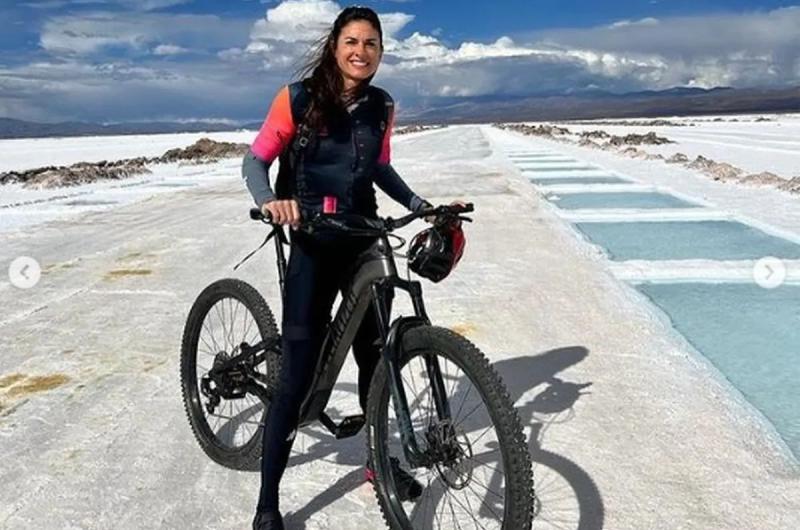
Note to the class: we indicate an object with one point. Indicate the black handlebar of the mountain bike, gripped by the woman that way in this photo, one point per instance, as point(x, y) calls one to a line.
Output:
point(355, 224)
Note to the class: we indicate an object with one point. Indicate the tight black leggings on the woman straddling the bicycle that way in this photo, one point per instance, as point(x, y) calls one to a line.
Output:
point(316, 271)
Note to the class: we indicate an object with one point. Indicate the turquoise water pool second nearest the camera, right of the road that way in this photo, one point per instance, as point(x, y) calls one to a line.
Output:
point(675, 240)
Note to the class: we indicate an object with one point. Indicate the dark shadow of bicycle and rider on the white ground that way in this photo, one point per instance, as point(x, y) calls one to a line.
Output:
point(582, 509)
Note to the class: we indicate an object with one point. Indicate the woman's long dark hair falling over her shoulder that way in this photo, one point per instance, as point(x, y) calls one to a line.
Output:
point(324, 77)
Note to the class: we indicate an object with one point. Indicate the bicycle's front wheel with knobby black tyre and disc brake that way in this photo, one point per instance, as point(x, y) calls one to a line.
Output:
point(484, 478)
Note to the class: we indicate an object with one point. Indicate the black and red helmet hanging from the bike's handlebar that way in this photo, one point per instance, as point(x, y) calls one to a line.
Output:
point(435, 251)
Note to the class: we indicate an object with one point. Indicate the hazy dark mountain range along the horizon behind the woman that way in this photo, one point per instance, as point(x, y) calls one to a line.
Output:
point(678, 101)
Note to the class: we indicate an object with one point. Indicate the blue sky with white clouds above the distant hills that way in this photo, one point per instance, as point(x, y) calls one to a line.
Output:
point(121, 60)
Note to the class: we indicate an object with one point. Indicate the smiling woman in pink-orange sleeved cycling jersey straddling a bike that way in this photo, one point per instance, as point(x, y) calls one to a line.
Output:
point(332, 133)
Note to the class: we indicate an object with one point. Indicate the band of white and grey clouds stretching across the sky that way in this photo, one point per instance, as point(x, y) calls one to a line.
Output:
point(237, 65)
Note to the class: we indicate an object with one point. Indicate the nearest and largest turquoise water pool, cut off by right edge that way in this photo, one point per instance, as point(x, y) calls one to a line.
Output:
point(752, 335)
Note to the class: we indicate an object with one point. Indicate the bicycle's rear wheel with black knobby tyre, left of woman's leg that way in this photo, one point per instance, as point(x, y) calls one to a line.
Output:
point(227, 414)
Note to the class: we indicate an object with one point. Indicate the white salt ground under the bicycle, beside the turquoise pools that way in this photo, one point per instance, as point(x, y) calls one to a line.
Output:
point(628, 427)
